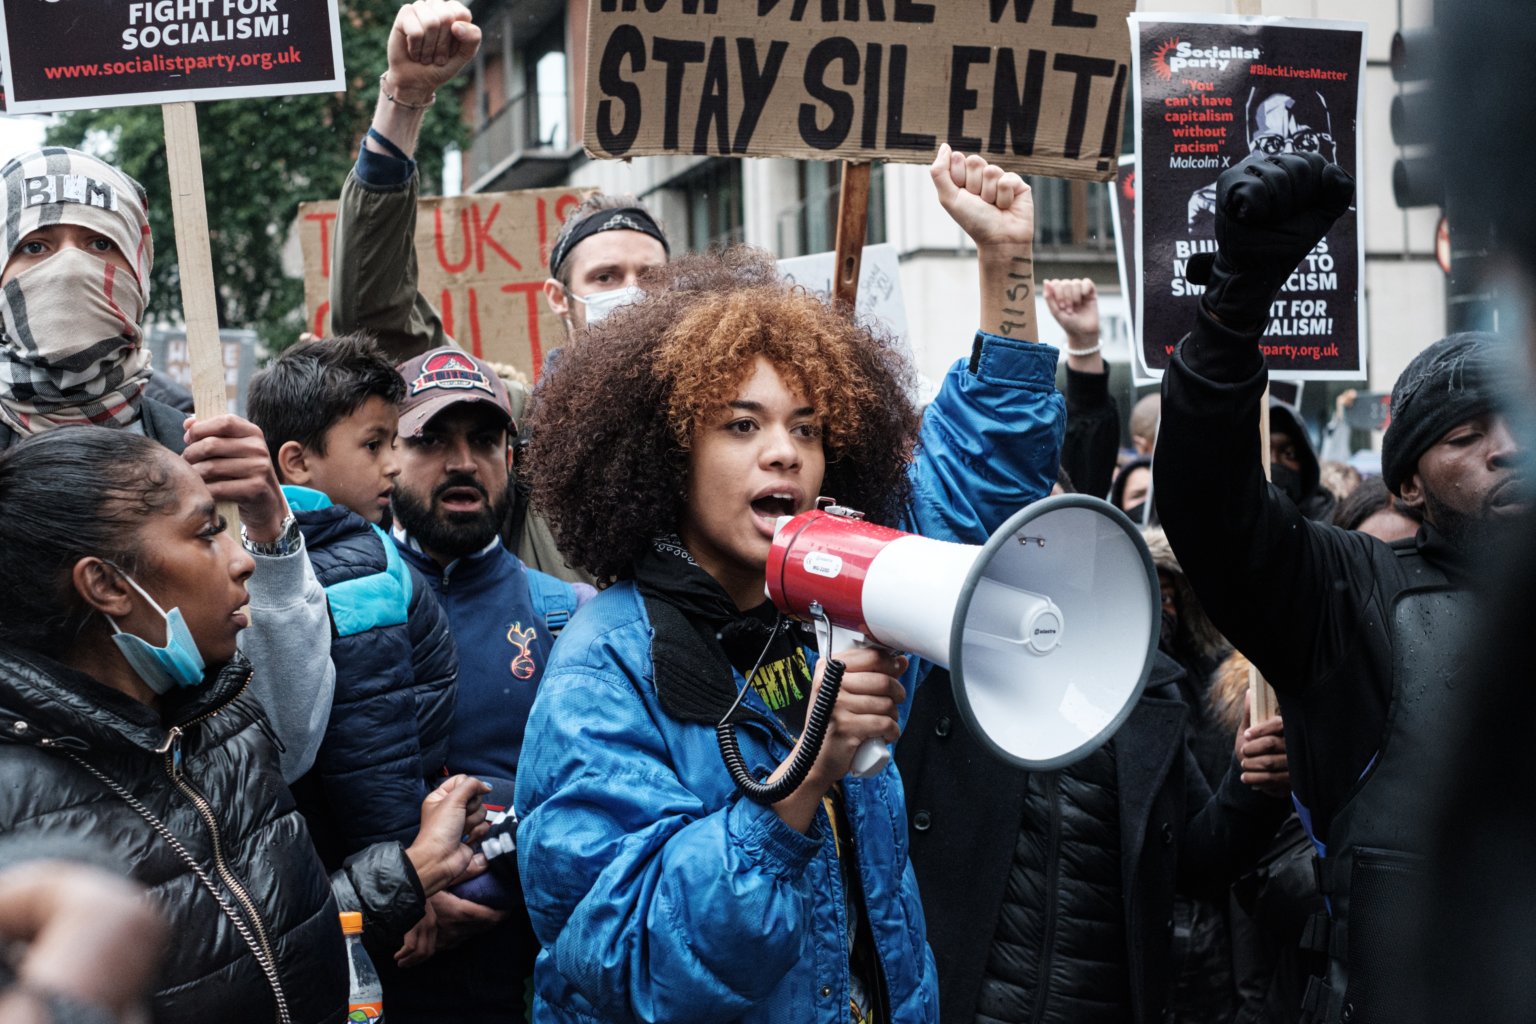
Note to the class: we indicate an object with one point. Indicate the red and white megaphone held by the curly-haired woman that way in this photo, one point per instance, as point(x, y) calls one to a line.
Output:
point(1048, 629)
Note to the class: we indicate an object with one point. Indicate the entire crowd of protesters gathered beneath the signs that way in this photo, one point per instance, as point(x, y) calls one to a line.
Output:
point(466, 662)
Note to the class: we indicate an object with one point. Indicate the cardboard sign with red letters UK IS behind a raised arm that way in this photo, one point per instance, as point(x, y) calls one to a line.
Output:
point(483, 263)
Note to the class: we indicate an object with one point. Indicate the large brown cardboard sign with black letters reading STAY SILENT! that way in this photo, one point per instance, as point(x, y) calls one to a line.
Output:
point(1036, 87)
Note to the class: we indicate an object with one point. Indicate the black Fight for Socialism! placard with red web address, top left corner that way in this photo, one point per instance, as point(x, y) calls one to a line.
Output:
point(76, 55)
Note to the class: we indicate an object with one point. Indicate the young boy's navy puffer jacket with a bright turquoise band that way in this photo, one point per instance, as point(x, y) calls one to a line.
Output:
point(397, 673)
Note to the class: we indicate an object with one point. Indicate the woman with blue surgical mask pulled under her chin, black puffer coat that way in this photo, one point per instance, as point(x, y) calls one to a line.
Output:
point(127, 721)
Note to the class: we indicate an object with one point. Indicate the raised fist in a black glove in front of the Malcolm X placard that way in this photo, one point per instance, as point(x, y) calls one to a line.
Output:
point(1271, 213)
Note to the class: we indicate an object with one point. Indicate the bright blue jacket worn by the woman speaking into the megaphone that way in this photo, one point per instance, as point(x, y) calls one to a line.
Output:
point(663, 896)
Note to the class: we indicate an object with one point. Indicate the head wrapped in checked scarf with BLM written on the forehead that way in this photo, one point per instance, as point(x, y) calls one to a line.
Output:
point(73, 294)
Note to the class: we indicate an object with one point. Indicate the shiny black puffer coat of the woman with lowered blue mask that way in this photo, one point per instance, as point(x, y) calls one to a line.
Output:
point(217, 788)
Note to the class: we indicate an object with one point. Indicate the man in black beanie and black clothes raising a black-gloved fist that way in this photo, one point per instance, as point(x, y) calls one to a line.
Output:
point(1360, 638)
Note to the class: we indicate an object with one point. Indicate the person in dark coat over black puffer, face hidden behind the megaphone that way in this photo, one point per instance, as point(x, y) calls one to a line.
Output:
point(1050, 896)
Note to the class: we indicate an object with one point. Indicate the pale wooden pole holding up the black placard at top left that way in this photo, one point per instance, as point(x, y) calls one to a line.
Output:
point(196, 265)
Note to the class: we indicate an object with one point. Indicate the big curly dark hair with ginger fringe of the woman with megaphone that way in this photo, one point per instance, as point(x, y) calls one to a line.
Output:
point(617, 417)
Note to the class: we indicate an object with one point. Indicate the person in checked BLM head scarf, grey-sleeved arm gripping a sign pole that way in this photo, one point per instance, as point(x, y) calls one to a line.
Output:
point(74, 291)
